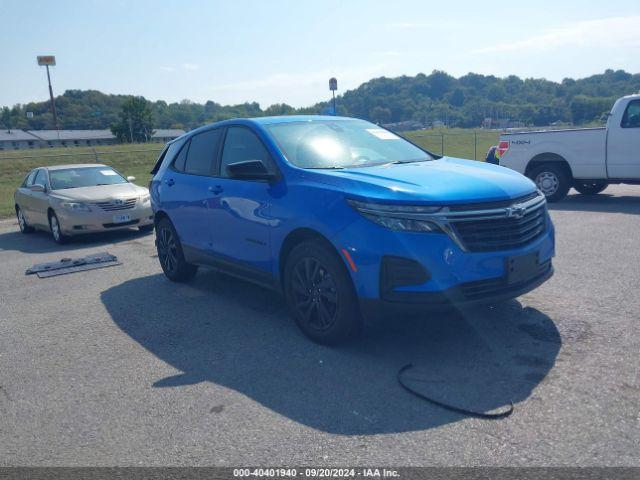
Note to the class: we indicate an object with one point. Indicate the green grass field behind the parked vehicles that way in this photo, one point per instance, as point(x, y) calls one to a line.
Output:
point(138, 159)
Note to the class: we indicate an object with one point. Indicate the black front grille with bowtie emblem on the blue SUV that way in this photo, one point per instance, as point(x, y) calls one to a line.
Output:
point(490, 230)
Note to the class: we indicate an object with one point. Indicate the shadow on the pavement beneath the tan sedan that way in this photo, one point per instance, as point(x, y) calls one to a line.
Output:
point(42, 242)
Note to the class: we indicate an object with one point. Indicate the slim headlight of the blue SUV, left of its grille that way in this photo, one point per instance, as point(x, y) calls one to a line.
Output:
point(408, 218)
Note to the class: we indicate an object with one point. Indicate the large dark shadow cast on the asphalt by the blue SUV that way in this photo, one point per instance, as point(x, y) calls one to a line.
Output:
point(237, 335)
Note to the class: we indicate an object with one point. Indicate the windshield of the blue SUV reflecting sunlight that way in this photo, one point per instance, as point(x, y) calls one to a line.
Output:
point(342, 144)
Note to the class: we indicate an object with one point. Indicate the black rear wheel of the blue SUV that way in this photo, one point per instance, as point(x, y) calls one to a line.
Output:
point(170, 253)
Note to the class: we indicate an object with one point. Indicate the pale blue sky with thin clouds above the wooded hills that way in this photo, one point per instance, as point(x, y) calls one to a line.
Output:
point(284, 51)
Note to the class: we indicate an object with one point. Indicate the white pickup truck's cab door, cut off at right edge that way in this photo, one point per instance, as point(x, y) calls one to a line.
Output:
point(623, 144)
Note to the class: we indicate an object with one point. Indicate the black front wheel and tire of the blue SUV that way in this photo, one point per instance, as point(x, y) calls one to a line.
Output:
point(320, 294)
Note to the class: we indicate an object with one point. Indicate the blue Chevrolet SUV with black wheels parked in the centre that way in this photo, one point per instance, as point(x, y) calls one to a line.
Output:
point(346, 219)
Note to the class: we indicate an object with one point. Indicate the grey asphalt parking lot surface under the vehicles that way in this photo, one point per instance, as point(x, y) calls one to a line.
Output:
point(118, 366)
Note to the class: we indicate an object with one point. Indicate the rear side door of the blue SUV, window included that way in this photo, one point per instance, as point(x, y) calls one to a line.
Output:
point(184, 192)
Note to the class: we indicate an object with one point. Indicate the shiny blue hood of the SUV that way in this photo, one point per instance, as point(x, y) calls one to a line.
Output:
point(444, 181)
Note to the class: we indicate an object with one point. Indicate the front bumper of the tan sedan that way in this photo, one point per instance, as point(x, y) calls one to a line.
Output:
point(80, 222)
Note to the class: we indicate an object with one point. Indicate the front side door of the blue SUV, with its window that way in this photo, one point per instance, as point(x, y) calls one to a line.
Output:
point(241, 219)
